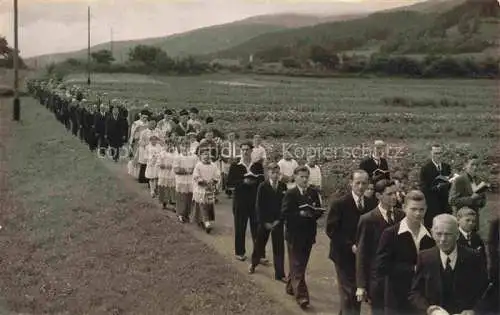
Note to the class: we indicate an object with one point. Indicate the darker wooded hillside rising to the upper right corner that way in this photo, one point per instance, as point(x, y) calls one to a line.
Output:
point(451, 27)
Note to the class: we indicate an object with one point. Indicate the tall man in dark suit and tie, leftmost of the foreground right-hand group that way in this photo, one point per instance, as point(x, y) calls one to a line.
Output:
point(341, 225)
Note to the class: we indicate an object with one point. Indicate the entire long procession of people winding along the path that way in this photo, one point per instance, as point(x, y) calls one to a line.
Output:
point(402, 248)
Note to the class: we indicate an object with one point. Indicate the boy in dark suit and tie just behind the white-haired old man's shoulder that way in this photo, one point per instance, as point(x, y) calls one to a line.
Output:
point(468, 237)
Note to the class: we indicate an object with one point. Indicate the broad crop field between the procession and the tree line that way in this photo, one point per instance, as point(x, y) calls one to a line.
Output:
point(336, 115)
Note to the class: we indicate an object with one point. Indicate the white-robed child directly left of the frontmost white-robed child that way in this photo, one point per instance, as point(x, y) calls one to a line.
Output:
point(183, 165)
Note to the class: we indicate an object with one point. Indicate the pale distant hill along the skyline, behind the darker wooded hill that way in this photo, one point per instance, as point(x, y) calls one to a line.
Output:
point(200, 41)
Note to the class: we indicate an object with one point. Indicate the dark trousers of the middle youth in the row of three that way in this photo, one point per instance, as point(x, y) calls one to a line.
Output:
point(278, 242)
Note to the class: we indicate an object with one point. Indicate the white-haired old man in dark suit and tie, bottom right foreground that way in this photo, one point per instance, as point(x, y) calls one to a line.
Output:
point(448, 276)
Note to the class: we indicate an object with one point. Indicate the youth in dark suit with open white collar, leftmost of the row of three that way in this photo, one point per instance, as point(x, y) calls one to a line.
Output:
point(244, 177)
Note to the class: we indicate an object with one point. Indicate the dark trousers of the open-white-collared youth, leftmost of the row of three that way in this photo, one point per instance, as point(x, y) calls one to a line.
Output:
point(241, 218)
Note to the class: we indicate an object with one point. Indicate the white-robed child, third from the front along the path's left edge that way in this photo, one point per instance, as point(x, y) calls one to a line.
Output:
point(166, 175)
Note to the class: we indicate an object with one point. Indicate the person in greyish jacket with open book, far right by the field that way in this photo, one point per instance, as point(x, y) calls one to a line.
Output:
point(462, 193)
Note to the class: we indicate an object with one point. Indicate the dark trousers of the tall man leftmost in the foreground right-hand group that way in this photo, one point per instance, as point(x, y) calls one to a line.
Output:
point(346, 280)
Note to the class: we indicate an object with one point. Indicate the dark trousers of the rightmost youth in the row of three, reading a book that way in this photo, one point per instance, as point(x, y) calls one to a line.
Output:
point(298, 257)
